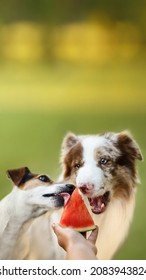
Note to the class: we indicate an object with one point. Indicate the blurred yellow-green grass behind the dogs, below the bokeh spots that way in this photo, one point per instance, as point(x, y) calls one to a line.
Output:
point(39, 105)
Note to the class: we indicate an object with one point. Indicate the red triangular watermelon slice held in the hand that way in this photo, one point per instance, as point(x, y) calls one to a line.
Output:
point(76, 214)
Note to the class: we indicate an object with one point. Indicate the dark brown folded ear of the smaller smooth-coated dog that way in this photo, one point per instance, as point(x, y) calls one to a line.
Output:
point(20, 175)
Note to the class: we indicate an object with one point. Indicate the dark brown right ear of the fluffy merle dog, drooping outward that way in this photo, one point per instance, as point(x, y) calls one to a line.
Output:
point(128, 146)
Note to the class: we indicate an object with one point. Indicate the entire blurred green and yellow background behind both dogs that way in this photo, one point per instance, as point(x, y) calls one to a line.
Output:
point(72, 66)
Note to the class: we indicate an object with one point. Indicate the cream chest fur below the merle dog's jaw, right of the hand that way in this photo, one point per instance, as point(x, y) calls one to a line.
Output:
point(113, 226)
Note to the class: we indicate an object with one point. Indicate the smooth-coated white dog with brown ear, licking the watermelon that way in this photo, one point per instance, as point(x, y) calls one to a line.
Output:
point(33, 195)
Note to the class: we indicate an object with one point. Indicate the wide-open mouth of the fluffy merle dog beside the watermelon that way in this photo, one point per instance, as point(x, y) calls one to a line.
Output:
point(99, 204)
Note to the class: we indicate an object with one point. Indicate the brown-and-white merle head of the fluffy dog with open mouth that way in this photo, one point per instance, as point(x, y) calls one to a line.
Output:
point(102, 166)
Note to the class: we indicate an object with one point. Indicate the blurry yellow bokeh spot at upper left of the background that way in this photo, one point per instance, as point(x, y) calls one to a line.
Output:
point(22, 42)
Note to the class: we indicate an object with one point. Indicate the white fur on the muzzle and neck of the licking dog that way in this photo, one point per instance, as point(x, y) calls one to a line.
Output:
point(16, 210)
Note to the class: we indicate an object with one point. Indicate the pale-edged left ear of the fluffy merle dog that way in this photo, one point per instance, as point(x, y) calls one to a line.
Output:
point(69, 141)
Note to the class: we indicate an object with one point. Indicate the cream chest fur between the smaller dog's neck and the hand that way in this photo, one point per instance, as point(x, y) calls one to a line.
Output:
point(40, 242)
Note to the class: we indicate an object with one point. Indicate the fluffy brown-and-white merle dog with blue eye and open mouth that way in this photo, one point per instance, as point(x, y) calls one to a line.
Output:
point(103, 167)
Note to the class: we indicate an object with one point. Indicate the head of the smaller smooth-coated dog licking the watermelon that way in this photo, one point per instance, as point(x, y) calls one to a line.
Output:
point(38, 192)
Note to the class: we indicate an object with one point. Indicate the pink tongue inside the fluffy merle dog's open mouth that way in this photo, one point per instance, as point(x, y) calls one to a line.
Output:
point(97, 204)
